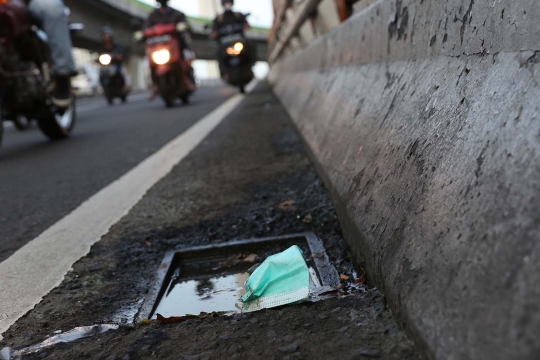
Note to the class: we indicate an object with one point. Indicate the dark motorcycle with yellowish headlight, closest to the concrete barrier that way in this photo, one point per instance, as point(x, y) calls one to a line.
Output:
point(235, 53)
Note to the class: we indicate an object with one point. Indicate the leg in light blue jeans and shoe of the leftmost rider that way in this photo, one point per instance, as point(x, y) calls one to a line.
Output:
point(51, 16)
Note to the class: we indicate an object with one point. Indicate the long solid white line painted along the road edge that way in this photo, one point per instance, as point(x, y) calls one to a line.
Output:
point(40, 266)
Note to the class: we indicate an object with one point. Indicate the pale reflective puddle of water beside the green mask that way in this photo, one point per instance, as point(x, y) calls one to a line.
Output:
point(207, 295)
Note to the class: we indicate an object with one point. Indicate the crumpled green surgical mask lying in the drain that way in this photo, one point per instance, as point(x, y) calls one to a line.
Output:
point(281, 279)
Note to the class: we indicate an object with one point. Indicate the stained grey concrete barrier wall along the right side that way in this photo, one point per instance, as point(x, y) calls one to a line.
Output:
point(423, 117)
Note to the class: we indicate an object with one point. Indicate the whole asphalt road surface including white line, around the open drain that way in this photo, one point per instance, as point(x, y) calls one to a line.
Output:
point(99, 212)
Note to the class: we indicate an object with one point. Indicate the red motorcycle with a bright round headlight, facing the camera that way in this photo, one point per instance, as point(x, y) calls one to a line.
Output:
point(167, 61)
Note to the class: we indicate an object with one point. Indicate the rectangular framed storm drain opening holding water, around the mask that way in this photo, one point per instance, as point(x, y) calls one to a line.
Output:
point(208, 279)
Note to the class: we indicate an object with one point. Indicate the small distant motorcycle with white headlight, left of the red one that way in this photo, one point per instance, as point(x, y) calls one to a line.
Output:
point(111, 79)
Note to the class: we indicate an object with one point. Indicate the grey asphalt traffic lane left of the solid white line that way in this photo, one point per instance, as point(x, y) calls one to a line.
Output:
point(42, 181)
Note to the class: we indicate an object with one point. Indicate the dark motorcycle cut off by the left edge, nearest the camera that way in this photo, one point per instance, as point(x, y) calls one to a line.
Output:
point(26, 83)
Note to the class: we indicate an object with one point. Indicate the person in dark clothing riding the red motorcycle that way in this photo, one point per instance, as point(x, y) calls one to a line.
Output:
point(167, 15)
